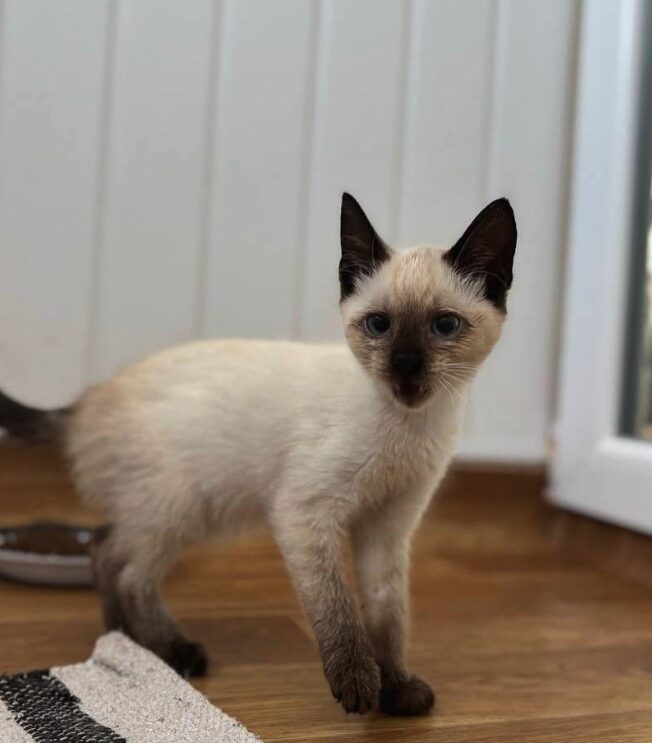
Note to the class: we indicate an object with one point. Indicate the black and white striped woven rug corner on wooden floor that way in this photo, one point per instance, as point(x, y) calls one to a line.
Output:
point(122, 694)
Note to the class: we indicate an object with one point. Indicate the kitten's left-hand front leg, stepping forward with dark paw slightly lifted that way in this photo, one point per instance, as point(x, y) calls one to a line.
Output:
point(312, 555)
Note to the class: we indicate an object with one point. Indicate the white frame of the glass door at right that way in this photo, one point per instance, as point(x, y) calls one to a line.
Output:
point(596, 470)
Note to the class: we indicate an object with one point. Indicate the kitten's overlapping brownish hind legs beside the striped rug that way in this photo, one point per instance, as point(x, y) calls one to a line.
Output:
point(130, 566)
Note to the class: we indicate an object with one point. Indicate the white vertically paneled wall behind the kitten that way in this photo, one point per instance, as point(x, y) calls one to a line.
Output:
point(173, 169)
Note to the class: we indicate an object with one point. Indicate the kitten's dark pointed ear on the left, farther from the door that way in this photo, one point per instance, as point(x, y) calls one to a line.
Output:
point(363, 251)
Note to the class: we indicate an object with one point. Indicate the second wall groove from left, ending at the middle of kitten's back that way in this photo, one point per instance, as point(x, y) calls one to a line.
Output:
point(208, 180)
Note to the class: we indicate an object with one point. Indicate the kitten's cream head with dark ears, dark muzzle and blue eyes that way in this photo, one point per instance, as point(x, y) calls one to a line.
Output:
point(425, 319)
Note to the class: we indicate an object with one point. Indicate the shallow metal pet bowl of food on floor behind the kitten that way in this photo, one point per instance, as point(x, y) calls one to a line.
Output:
point(46, 553)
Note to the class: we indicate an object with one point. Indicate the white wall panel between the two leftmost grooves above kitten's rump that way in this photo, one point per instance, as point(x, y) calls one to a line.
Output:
point(151, 192)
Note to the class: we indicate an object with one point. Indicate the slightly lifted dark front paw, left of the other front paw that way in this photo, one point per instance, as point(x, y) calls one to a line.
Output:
point(354, 679)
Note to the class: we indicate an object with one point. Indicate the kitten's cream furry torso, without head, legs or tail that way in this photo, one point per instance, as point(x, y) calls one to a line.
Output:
point(232, 433)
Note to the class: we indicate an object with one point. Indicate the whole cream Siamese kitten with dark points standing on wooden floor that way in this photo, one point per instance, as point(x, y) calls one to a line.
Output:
point(323, 442)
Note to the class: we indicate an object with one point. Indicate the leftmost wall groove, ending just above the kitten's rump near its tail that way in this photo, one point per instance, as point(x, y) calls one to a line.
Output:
point(104, 137)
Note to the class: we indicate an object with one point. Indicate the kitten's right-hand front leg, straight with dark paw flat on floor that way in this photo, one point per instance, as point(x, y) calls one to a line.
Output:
point(382, 547)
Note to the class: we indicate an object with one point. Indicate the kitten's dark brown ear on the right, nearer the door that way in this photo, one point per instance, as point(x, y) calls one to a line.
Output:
point(486, 250)
